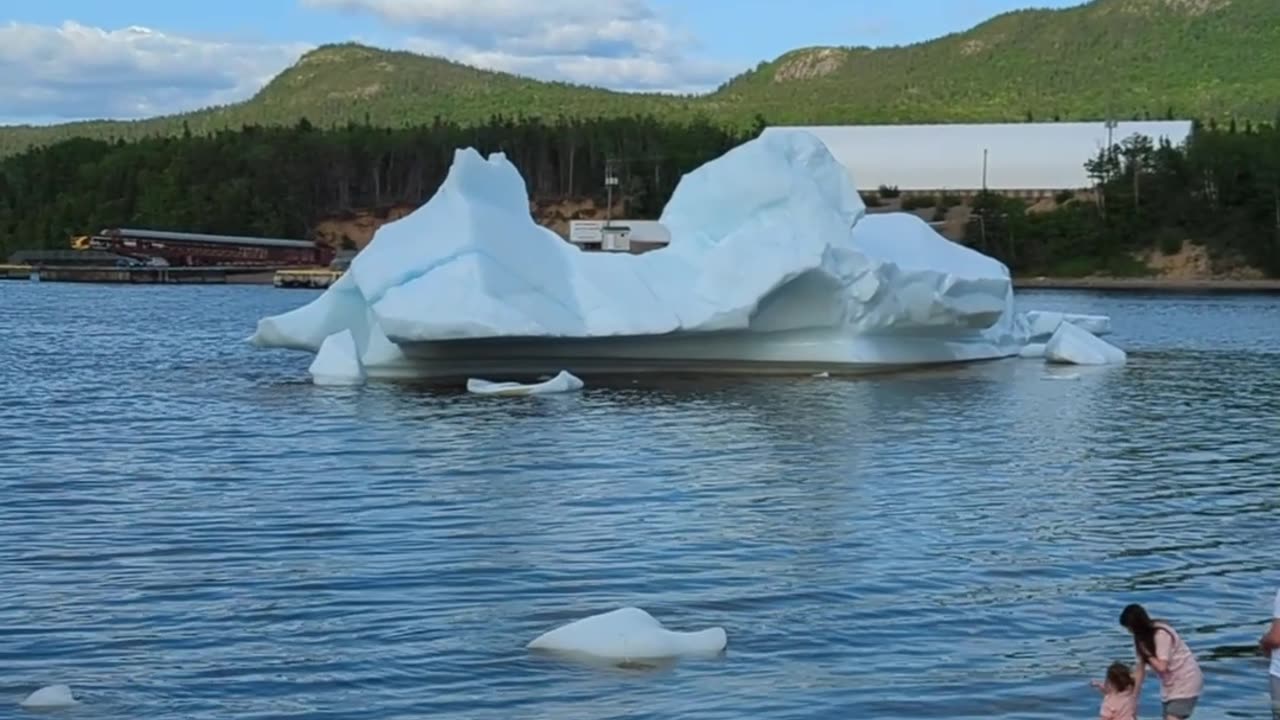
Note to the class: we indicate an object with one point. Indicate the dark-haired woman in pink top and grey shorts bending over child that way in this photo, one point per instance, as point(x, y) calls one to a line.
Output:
point(1158, 645)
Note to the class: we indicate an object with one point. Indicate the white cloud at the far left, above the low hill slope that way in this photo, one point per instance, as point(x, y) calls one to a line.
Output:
point(75, 71)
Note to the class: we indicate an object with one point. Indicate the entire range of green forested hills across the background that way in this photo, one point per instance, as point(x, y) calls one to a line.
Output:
point(1128, 58)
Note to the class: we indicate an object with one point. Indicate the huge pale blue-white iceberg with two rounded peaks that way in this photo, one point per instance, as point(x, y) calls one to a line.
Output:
point(774, 267)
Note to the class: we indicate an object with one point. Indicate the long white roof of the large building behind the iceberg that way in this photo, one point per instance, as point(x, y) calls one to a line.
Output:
point(950, 157)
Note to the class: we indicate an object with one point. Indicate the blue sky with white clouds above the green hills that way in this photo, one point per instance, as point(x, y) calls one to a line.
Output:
point(77, 60)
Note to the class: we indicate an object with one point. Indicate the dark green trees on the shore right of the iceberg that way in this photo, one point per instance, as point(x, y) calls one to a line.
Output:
point(1219, 190)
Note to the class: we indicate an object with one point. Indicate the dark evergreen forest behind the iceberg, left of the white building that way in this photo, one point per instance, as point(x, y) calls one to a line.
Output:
point(284, 181)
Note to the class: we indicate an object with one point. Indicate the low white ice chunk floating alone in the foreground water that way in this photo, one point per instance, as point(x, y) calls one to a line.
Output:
point(629, 635)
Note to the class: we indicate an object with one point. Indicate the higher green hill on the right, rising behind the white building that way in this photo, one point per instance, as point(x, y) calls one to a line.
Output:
point(1187, 58)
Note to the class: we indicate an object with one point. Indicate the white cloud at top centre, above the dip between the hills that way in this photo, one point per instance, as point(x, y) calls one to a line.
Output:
point(618, 44)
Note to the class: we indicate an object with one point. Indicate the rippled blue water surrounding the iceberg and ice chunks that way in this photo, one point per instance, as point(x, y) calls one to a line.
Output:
point(190, 530)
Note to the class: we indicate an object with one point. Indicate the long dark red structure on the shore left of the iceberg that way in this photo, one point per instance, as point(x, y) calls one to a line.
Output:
point(182, 249)
